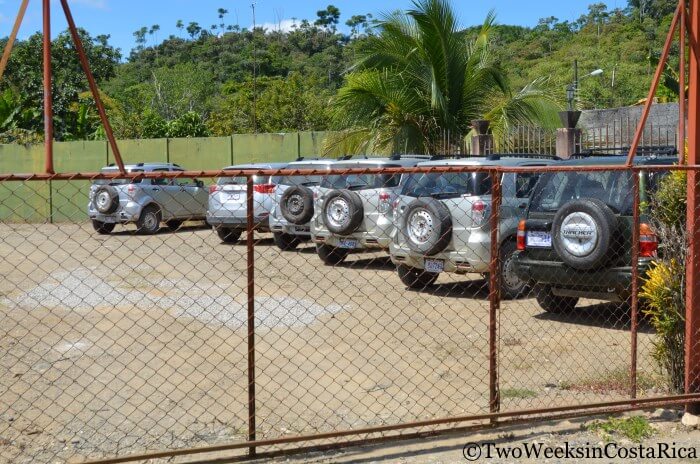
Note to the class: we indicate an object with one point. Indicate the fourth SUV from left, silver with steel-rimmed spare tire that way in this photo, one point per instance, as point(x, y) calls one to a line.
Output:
point(354, 211)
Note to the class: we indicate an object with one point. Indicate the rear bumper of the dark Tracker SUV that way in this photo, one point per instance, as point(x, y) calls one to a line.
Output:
point(614, 284)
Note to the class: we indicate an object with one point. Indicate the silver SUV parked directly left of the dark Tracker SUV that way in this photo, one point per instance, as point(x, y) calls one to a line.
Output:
point(443, 222)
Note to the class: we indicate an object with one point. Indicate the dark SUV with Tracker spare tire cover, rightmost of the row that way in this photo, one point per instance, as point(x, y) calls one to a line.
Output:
point(576, 241)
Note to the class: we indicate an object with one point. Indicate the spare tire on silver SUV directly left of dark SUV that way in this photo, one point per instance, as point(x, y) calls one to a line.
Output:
point(427, 226)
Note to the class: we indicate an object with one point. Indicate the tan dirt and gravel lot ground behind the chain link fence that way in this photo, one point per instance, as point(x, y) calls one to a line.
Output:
point(112, 345)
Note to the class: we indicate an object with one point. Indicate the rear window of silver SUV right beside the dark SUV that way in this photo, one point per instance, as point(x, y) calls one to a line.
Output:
point(445, 185)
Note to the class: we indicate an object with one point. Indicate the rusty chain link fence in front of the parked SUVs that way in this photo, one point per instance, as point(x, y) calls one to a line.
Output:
point(231, 310)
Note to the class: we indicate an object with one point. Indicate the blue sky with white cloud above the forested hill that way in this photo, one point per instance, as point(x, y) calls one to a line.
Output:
point(120, 18)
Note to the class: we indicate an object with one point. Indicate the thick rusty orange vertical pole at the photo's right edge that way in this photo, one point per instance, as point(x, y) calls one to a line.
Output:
point(692, 306)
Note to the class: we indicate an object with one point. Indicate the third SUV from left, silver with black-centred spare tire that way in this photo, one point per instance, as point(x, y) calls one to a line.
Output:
point(293, 205)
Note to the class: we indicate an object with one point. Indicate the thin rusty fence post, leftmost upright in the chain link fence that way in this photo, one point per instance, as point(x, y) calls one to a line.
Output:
point(251, 311)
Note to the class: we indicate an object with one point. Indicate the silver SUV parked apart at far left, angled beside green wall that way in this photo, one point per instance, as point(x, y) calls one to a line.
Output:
point(146, 202)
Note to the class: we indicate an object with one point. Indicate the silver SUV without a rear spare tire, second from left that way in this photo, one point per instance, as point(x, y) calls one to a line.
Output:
point(228, 197)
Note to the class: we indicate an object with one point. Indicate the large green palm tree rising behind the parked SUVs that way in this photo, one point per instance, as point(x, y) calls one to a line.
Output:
point(421, 77)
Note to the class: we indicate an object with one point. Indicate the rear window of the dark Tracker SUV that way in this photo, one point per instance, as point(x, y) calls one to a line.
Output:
point(554, 190)
